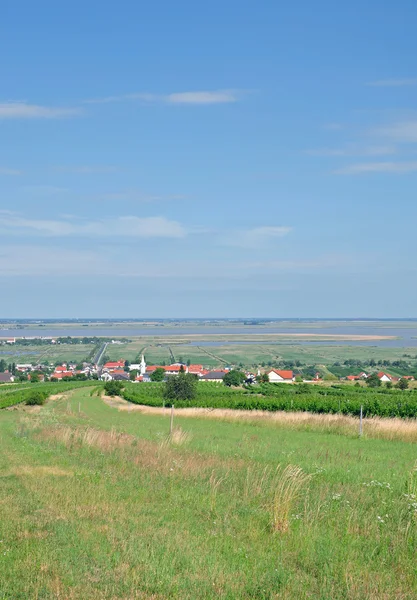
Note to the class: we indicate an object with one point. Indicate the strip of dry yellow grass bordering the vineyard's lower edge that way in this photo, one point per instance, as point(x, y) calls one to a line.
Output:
point(374, 427)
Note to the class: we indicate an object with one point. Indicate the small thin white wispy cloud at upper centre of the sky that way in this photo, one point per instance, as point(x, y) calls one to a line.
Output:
point(196, 97)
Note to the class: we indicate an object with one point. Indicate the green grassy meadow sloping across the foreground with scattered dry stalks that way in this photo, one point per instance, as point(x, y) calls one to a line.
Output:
point(100, 504)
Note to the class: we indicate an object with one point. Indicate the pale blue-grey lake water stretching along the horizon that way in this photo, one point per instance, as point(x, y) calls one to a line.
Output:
point(407, 334)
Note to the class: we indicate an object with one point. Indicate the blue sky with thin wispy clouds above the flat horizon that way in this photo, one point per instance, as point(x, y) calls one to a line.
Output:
point(221, 159)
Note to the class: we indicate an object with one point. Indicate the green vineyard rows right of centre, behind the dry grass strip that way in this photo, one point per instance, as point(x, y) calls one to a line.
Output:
point(302, 397)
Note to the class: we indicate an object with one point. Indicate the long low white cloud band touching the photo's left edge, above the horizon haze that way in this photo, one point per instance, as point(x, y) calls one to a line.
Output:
point(128, 226)
